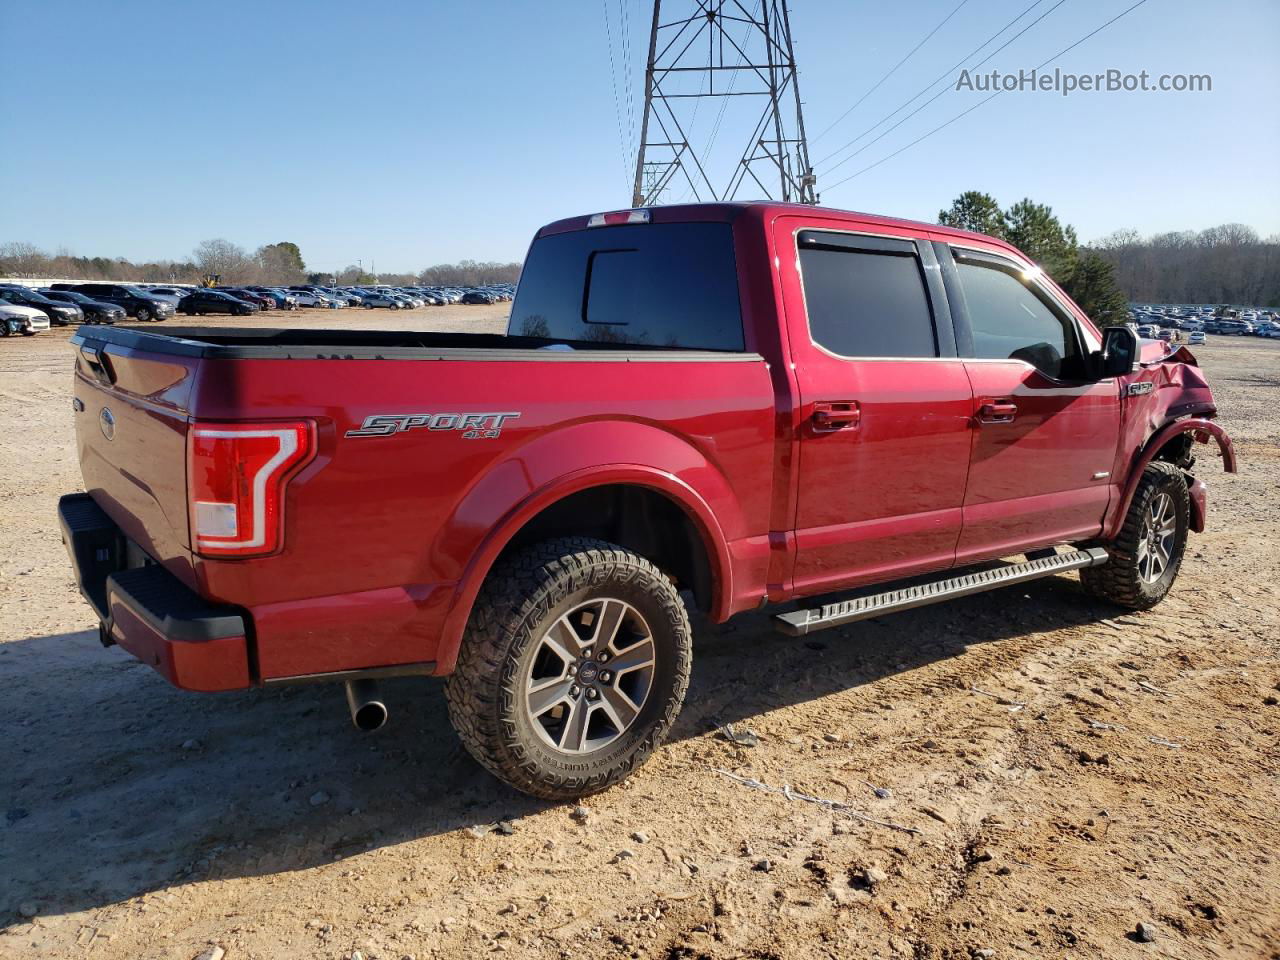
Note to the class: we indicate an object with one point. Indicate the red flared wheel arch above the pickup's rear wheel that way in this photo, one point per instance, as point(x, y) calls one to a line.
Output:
point(566, 461)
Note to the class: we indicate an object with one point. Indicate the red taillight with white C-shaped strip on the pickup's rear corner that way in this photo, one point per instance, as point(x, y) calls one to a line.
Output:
point(236, 479)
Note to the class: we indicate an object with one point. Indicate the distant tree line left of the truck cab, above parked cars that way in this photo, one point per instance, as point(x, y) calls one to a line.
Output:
point(272, 264)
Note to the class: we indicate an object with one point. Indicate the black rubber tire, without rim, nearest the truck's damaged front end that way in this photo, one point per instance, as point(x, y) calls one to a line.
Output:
point(1119, 579)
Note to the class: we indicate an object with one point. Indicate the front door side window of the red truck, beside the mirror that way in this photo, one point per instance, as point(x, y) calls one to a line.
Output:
point(1012, 323)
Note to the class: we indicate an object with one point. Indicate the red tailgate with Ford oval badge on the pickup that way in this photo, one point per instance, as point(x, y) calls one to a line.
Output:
point(131, 433)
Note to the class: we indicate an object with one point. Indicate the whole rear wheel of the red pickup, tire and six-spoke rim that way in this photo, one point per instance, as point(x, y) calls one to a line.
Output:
point(574, 668)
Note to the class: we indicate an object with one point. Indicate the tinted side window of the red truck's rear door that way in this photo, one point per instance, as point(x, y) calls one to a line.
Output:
point(866, 296)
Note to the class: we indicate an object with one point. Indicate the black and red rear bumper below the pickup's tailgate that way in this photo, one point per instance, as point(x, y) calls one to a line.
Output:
point(194, 644)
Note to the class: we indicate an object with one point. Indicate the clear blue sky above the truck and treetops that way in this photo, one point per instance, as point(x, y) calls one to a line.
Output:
point(419, 132)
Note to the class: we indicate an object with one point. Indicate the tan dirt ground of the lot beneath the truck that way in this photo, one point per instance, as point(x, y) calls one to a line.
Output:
point(1066, 771)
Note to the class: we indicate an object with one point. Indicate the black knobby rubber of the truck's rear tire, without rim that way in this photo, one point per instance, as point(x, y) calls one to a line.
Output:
point(522, 598)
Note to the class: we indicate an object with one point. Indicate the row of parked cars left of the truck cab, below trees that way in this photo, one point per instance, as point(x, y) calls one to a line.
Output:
point(30, 310)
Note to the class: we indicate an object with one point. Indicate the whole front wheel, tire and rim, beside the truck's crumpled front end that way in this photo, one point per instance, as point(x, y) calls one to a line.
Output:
point(1149, 552)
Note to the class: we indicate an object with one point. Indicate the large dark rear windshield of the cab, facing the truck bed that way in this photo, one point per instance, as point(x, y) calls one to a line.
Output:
point(653, 285)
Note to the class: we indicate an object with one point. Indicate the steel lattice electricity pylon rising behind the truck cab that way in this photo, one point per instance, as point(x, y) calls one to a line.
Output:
point(737, 53)
